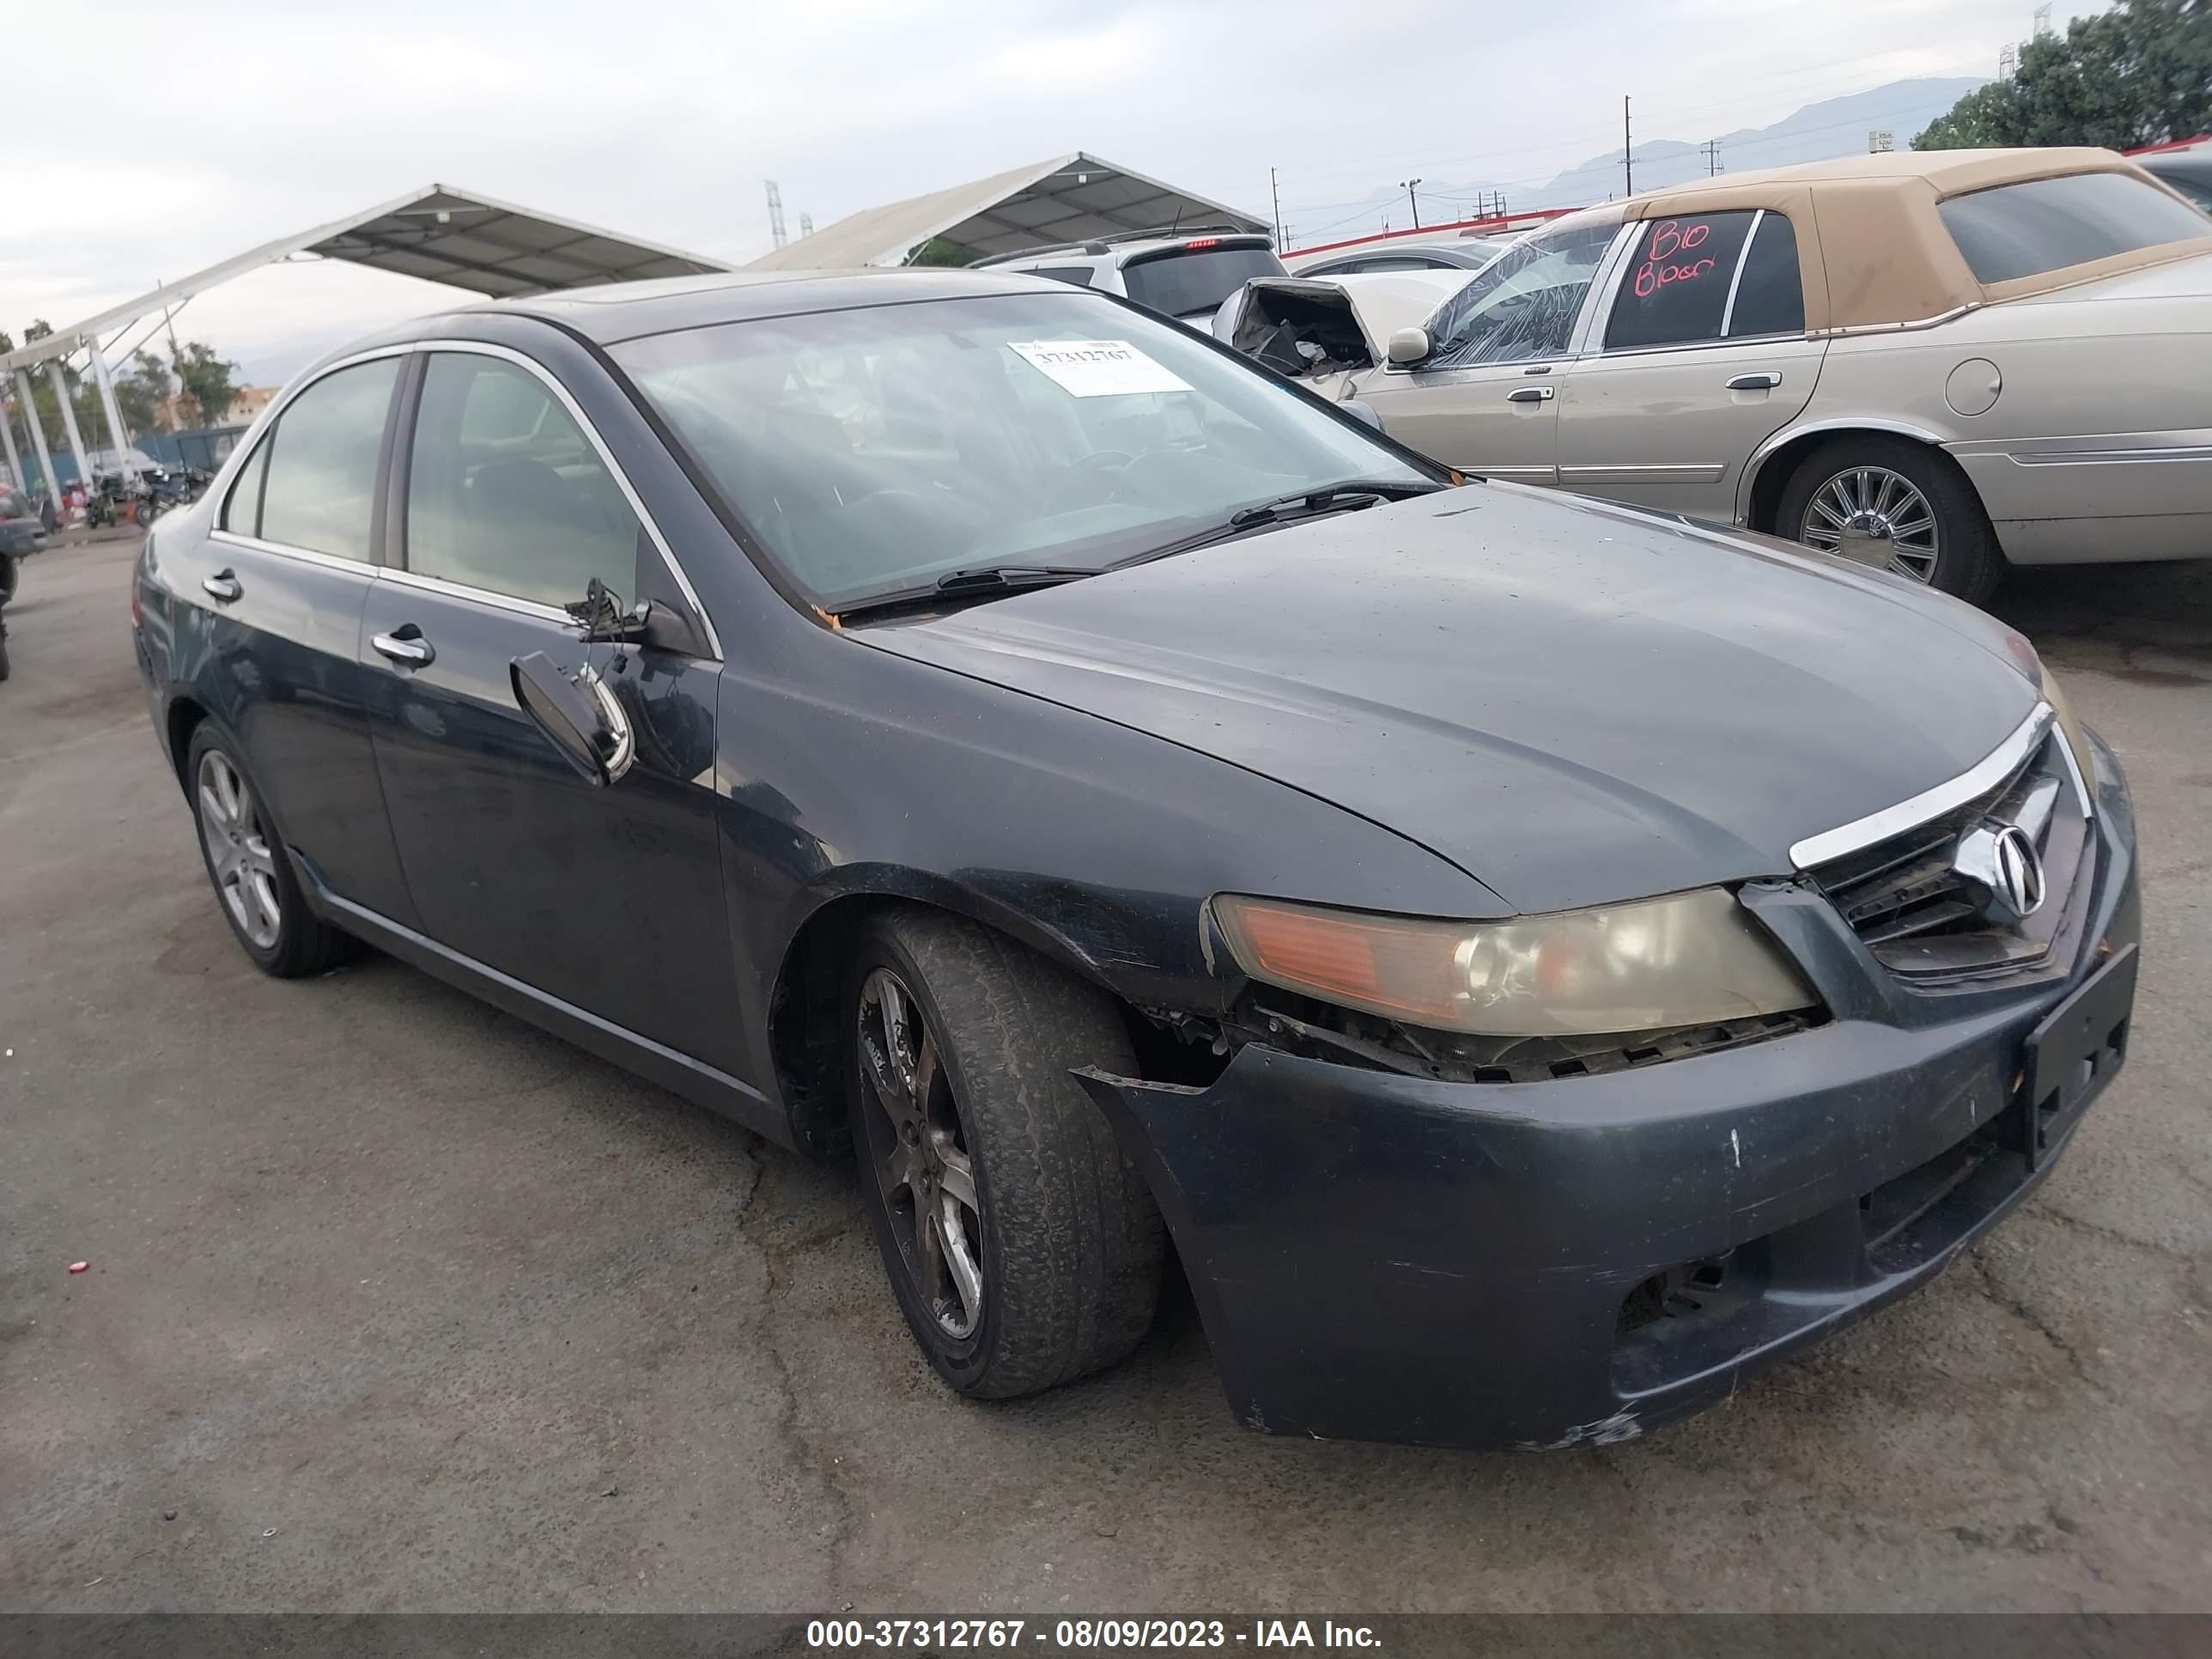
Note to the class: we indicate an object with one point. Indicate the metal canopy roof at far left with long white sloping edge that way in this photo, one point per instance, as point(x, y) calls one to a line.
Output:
point(437, 233)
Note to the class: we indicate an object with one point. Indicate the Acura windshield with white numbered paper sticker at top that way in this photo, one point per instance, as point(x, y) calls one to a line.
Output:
point(875, 450)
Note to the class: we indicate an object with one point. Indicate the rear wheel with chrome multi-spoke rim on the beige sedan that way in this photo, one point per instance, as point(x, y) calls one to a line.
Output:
point(1897, 505)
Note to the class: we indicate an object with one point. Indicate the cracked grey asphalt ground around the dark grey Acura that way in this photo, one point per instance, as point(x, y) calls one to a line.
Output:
point(397, 1304)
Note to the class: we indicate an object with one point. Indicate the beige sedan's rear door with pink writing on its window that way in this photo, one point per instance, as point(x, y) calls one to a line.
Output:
point(1702, 357)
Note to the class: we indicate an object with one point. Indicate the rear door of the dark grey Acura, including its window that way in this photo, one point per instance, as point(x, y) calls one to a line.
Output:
point(271, 640)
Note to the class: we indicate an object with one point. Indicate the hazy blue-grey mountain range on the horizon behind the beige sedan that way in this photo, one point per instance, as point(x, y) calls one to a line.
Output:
point(1815, 134)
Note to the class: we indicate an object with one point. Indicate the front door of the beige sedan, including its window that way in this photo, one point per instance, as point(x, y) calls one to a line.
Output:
point(1485, 399)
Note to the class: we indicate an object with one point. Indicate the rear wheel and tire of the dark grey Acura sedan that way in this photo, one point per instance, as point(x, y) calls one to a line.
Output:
point(249, 868)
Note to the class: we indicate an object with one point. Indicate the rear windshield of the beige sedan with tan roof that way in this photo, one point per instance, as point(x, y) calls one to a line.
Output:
point(2047, 225)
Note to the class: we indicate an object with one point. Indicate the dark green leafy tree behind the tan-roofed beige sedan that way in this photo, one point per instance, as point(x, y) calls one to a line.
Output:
point(2140, 74)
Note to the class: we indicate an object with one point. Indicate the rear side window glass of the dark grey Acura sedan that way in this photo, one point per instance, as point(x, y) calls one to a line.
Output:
point(322, 461)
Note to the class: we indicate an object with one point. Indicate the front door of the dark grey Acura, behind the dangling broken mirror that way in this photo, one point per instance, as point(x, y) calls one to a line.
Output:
point(607, 899)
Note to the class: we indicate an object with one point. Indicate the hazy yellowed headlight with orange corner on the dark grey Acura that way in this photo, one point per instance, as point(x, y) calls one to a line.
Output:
point(1656, 963)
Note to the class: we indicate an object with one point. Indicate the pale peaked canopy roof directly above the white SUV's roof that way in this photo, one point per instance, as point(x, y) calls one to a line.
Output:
point(1070, 198)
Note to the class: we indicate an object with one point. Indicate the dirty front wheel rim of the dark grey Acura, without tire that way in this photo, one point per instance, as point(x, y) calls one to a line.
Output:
point(919, 1154)
